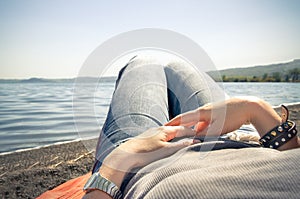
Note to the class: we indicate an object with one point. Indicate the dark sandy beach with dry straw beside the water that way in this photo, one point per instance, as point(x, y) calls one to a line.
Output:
point(29, 173)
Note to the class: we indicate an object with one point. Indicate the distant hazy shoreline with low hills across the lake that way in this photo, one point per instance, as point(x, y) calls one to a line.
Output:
point(277, 72)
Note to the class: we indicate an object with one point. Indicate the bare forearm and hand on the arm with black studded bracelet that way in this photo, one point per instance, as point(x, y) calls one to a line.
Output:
point(224, 117)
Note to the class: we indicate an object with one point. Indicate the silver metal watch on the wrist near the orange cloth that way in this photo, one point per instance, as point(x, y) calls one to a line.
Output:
point(97, 182)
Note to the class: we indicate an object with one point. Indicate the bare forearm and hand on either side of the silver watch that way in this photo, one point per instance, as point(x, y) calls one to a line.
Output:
point(139, 151)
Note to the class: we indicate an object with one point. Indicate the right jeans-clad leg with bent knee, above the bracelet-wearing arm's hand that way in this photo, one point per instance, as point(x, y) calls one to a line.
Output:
point(189, 88)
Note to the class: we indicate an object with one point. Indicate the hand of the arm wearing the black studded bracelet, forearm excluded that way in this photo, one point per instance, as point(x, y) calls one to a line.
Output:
point(218, 118)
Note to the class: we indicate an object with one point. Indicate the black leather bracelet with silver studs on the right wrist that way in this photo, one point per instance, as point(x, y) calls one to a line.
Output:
point(279, 135)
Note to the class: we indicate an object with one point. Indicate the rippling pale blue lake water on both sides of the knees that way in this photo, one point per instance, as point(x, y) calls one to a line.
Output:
point(38, 114)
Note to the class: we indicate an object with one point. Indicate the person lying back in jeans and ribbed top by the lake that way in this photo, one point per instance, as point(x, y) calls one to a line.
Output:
point(166, 120)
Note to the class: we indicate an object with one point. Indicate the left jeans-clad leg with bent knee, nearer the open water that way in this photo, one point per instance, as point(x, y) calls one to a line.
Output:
point(139, 102)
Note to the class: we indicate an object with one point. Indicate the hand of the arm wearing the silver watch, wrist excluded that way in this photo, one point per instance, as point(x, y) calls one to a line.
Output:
point(154, 144)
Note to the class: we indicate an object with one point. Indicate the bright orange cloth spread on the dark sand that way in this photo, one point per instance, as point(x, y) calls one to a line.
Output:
point(70, 189)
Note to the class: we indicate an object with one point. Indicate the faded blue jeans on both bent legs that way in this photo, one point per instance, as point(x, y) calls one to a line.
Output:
point(149, 93)
